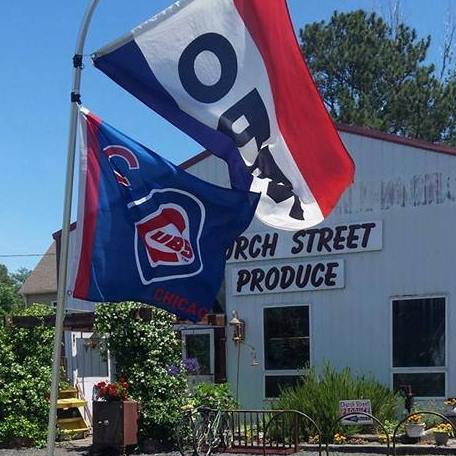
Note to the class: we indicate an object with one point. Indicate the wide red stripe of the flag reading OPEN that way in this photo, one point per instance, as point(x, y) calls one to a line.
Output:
point(302, 117)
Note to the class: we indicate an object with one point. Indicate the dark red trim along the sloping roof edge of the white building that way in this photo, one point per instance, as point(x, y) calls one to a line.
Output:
point(361, 131)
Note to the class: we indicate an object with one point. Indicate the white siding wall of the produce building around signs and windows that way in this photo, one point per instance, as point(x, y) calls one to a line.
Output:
point(413, 192)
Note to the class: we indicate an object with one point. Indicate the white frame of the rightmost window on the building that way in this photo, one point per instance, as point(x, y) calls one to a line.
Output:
point(419, 370)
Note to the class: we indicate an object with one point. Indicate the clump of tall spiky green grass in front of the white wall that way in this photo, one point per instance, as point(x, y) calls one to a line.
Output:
point(318, 395)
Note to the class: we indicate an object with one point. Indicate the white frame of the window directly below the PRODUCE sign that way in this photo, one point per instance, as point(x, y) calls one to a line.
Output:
point(282, 372)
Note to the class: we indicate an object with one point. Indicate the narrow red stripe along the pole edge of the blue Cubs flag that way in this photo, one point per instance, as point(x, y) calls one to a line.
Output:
point(82, 283)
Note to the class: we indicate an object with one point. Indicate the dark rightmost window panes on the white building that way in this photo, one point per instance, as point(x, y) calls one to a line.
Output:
point(419, 341)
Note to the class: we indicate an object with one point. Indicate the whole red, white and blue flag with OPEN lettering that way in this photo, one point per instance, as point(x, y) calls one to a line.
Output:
point(230, 74)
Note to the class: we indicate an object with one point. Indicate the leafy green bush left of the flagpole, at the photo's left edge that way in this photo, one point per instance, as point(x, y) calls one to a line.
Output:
point(25, 377)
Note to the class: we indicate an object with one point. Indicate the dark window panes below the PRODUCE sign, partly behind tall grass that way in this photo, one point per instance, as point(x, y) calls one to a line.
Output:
point(286, 346)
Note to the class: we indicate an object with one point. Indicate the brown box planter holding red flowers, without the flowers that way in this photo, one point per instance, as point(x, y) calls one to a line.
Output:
point(115, 424)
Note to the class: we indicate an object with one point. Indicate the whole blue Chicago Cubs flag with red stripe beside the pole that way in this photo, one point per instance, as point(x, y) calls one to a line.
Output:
point(147, 230)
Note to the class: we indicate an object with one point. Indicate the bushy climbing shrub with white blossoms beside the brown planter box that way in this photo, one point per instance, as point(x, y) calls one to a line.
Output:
point(144, 351)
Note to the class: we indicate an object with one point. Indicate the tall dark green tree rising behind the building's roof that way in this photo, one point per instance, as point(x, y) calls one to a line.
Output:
point(371, 75)
